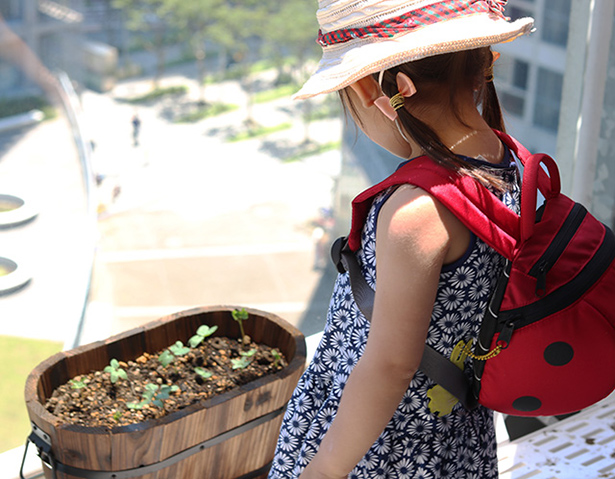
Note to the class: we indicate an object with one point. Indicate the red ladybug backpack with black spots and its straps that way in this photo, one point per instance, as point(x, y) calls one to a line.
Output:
point(546, 344)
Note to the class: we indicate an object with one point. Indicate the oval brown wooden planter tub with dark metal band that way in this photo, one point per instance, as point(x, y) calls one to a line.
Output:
point(232, 435)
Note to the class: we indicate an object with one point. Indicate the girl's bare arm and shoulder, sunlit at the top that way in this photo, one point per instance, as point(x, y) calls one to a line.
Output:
point(413, 241)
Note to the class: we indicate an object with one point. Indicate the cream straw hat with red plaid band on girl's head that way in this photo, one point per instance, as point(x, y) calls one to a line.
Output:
point(361, 37)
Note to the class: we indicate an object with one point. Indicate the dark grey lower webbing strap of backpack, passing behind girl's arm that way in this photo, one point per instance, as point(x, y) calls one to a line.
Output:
point(436, 366)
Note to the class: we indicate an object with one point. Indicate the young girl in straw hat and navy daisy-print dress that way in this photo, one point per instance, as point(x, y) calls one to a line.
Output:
point(413, 74)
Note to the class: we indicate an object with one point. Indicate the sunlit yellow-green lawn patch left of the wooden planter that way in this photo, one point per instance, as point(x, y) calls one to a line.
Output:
point(18, 356)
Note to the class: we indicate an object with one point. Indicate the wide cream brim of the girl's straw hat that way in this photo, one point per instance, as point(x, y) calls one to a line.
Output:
point(345, 63)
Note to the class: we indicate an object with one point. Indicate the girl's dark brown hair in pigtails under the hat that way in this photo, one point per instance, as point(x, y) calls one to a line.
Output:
point(459, 72)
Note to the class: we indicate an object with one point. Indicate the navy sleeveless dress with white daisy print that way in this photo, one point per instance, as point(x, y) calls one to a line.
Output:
point(416, 443)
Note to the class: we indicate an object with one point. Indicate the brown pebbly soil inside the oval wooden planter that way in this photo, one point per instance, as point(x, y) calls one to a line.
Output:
point(93, 400)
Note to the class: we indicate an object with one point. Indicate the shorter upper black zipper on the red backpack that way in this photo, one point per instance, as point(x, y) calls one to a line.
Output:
point(563, 237)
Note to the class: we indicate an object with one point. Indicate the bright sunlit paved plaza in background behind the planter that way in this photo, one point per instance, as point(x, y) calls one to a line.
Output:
point(200, 220)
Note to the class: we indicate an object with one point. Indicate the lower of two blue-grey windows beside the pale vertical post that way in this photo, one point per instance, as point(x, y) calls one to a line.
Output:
point(548, 98)
